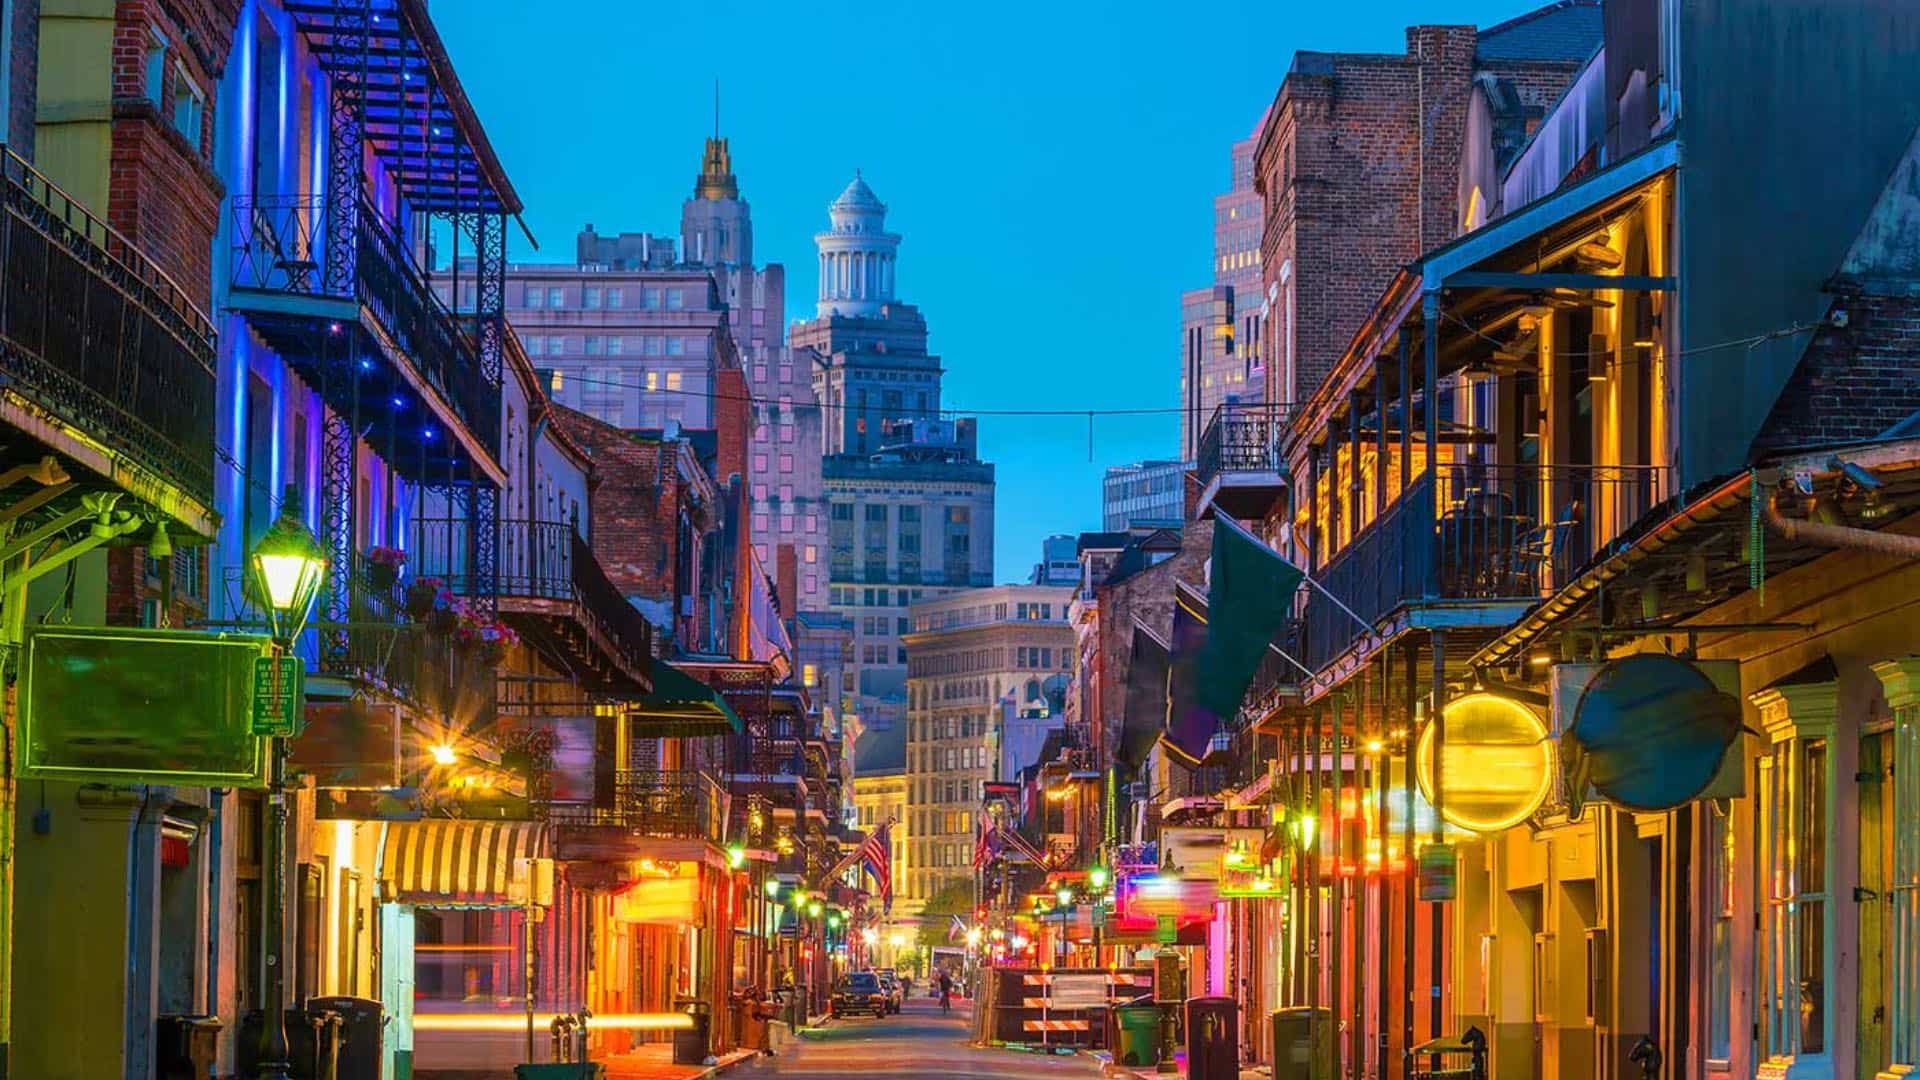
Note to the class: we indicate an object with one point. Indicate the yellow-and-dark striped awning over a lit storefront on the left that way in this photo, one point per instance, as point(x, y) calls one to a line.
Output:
point(458, 864)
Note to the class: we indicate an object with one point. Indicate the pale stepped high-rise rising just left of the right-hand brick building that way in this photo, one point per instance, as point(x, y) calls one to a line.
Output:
point(1222, 324)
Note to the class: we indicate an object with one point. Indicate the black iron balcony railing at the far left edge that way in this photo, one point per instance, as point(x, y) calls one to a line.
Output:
point(99, 335)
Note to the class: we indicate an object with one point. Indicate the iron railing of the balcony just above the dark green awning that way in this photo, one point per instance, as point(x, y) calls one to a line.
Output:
point(539, 560)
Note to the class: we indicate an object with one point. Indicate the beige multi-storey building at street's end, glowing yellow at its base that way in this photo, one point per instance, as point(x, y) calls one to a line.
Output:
point(972, 656)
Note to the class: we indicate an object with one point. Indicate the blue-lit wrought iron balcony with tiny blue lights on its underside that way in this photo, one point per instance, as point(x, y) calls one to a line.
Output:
point(304, 299)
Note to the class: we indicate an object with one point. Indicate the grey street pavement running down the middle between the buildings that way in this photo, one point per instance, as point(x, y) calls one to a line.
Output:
point(919, 1043)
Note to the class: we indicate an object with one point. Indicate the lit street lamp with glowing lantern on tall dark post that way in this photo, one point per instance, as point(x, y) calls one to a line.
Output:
point(287, 570)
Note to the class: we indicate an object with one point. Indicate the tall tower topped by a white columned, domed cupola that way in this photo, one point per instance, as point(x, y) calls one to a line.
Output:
point(909, 499)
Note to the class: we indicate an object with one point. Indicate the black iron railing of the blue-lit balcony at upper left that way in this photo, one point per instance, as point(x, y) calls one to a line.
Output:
point(281, 247)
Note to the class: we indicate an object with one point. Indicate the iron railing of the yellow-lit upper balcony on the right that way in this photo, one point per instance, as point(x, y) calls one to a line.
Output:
point(1500, 533)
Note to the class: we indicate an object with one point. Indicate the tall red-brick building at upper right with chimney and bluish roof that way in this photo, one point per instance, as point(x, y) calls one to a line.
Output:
point(1358, 168)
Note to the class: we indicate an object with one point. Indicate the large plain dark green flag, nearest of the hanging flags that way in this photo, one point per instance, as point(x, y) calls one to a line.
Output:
point(1251, 597)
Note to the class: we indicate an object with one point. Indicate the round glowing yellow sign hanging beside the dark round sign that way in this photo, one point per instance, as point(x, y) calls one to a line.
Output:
point(1499, 762)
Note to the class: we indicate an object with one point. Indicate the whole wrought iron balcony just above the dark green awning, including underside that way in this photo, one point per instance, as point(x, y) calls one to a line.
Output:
point(554, 589)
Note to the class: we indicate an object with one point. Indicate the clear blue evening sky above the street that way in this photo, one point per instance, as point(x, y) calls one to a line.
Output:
point(1049, 166)
